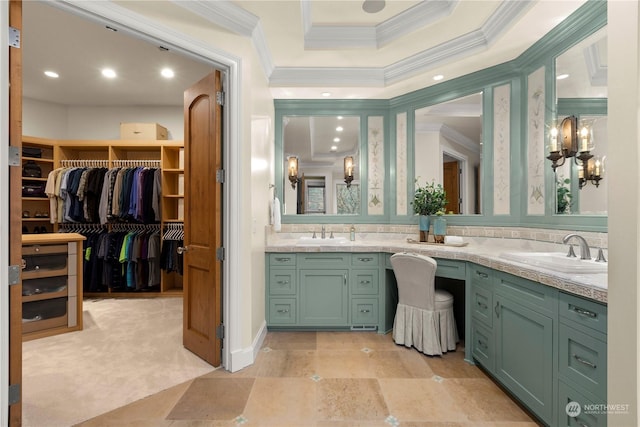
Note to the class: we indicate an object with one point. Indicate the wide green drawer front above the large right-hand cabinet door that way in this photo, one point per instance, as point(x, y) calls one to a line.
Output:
point(533, 295)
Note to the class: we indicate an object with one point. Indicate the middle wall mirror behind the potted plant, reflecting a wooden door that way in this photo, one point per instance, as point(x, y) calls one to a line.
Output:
point(448, 150)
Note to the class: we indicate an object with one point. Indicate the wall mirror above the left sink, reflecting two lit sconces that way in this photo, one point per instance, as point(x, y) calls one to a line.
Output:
point(322, 161)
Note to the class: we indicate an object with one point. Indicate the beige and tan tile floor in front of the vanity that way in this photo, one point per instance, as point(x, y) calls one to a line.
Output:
point(331, 379)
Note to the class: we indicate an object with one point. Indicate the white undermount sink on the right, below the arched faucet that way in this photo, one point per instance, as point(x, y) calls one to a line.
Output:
point(557, 261)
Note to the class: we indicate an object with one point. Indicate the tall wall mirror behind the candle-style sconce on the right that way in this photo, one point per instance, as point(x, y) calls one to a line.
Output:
point(581, 91)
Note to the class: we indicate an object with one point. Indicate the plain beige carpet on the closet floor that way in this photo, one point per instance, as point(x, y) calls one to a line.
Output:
point(129, 349)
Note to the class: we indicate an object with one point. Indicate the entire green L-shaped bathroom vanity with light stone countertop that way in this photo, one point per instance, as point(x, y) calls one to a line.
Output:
point(540, 333)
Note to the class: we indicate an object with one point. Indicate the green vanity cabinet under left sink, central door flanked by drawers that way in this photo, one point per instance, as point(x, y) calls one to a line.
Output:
point(338, 291)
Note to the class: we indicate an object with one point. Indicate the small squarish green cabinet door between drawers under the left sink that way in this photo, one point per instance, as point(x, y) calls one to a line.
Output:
point(324, 298)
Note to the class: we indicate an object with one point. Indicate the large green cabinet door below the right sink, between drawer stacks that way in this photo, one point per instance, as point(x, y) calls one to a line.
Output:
point(524, 354)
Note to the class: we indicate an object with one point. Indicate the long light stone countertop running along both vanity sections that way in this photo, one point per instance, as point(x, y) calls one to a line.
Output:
point(482, 251)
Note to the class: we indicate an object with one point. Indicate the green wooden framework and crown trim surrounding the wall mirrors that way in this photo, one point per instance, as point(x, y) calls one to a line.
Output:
point(589, 18)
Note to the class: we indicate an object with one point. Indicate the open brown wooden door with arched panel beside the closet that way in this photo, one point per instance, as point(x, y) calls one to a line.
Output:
point(203, 219)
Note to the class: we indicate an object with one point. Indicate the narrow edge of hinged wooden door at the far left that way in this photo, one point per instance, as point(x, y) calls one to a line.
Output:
point(15, 207)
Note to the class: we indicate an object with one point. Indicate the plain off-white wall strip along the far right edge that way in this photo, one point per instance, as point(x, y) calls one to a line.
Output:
point(623, 182)
